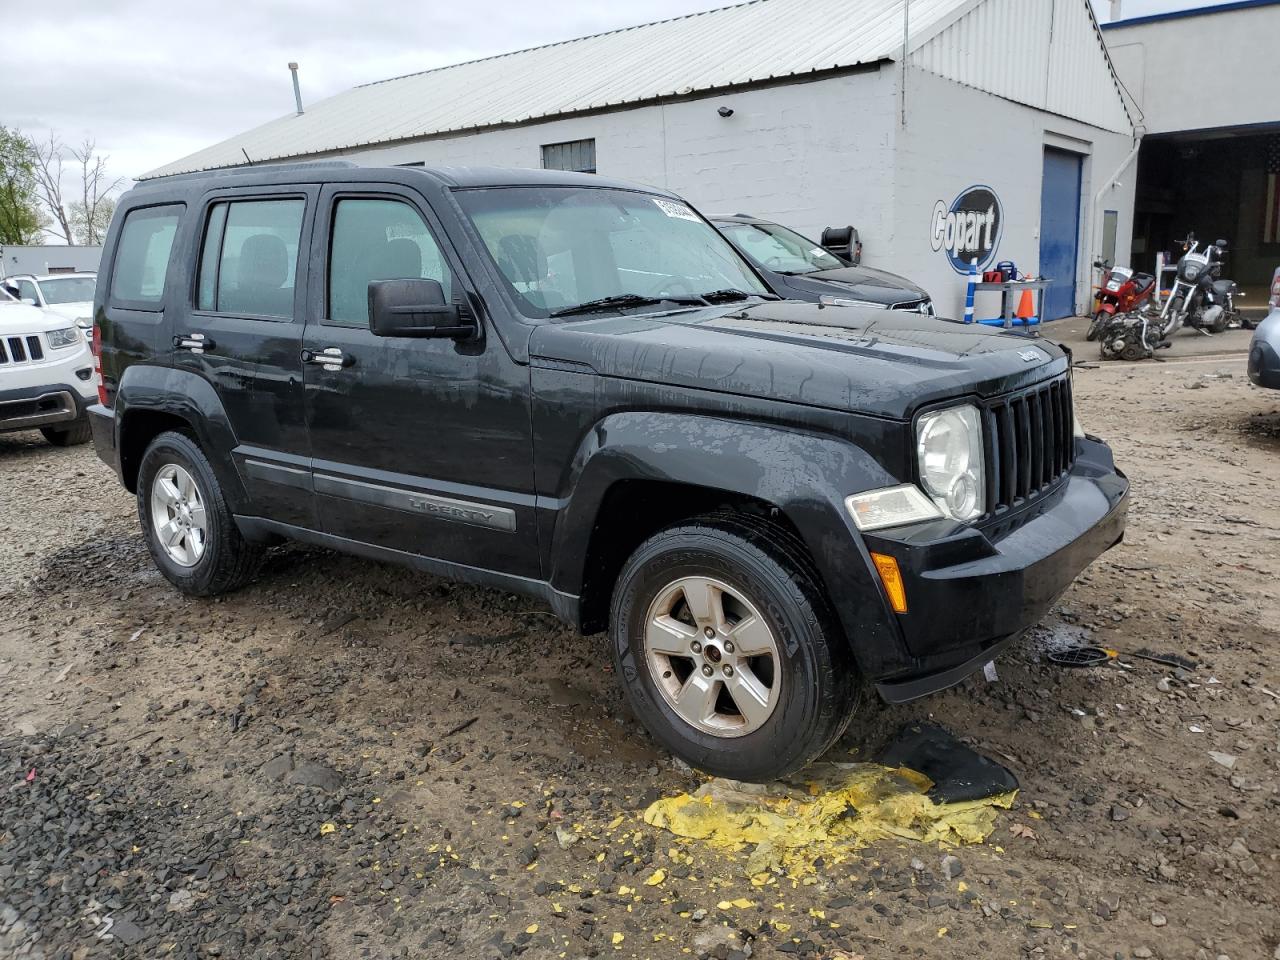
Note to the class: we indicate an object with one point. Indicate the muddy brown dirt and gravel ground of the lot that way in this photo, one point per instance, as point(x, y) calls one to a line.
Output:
point(353, 761)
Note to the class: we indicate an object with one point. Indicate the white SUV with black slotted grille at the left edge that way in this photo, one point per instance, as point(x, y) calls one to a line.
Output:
point(47, 373)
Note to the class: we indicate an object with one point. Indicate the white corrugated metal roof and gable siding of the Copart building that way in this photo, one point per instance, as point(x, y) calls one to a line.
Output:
point(752, 43)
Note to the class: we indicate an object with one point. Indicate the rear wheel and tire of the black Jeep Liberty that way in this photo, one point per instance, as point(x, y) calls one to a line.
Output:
point(186, 522)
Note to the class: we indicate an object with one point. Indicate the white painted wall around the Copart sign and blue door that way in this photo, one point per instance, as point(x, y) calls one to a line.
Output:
point(957, 138)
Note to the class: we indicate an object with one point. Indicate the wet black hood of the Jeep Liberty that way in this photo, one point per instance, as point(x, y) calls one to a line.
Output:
point(851, 359)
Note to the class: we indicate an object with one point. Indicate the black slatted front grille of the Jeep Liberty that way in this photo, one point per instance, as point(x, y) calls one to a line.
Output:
point(1030, 444)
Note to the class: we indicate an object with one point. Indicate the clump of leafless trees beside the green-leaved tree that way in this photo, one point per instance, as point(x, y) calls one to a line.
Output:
point(84, 217)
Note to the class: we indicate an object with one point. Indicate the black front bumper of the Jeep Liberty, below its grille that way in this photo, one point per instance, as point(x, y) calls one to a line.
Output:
point(971, 596)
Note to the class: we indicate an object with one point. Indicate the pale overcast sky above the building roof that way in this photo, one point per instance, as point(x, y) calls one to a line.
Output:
point(156, 80)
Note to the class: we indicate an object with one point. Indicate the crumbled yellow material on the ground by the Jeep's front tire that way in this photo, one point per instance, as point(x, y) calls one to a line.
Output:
point(836, 808)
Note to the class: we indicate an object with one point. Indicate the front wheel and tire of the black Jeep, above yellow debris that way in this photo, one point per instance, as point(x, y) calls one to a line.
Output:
point(728, 651)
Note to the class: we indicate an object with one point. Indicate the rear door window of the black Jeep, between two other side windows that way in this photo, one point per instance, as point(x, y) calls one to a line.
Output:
point(250, 258)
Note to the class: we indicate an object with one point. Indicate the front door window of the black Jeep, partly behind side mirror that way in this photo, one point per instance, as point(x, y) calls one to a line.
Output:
point(378, 240)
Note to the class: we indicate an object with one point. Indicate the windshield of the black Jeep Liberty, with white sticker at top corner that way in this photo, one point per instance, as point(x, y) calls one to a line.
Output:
point(564, 248)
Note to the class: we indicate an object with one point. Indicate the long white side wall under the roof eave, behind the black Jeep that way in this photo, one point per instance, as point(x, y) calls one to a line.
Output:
point(811, 156)
